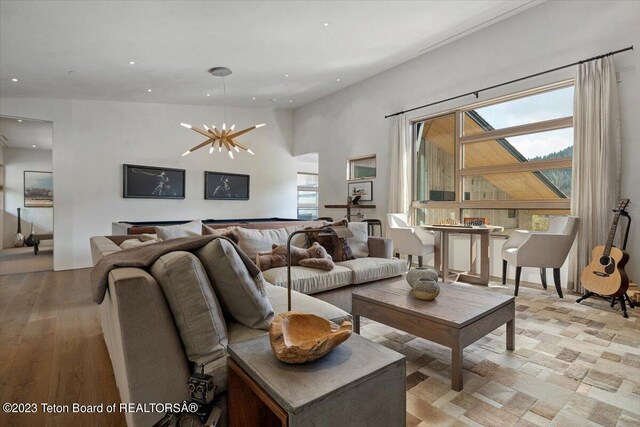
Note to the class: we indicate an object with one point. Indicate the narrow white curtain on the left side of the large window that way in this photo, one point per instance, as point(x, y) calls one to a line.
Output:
point(400, 174)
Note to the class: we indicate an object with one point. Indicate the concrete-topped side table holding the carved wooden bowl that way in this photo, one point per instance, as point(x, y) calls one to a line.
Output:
point(360, 383)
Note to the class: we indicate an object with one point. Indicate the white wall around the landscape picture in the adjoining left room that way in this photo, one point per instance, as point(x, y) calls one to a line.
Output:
point(18, 160)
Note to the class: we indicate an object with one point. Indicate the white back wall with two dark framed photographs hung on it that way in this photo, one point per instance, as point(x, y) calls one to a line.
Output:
point(93, 139)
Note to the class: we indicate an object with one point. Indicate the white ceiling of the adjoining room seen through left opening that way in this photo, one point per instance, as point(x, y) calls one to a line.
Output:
point(26, 134)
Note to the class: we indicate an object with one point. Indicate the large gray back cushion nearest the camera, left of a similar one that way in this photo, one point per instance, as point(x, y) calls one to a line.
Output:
point(193, 304)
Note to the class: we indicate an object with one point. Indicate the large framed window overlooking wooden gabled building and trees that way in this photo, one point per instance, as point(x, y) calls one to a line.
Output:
point(507, 160)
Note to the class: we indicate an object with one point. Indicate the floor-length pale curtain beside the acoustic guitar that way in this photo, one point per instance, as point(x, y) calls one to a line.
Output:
point(596, 159)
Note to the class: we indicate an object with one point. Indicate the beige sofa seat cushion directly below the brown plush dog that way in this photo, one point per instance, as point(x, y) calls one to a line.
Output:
point(310, 280)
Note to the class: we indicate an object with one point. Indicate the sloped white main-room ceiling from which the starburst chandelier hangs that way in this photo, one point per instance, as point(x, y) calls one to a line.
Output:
point(82, 49)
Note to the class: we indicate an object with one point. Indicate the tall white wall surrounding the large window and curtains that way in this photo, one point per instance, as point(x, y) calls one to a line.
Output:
point(546, 36)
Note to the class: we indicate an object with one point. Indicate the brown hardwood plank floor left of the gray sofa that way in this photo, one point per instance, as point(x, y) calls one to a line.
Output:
point(52, 350)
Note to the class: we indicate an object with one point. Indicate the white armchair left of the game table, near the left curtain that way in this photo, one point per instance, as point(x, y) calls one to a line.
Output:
point(409, 240)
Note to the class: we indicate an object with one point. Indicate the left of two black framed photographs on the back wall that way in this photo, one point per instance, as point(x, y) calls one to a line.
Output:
point(151, 182)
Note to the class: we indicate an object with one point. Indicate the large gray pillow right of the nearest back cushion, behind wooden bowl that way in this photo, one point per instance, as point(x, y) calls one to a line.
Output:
point(241, 296)
